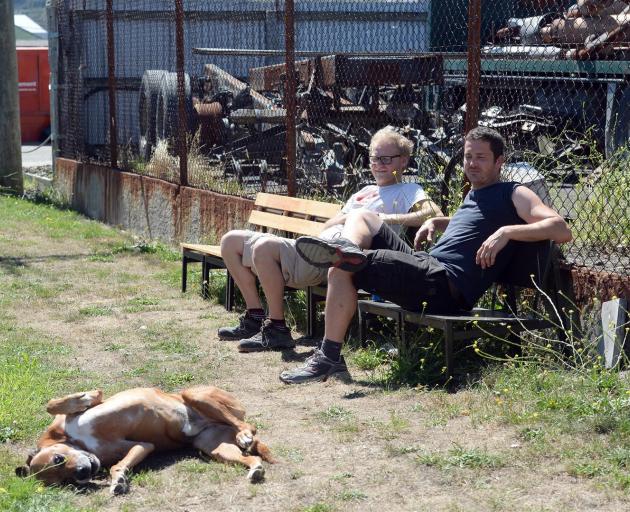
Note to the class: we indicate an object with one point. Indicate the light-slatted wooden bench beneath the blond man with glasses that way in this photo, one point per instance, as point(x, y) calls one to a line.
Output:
point(285, 216)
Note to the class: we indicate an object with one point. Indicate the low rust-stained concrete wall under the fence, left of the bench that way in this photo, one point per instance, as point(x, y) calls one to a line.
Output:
point(148, 206)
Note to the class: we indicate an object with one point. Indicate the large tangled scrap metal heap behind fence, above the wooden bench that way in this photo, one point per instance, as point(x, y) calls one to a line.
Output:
point(341, 102)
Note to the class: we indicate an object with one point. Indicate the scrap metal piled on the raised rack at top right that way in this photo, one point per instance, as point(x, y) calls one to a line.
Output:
point(589, 29)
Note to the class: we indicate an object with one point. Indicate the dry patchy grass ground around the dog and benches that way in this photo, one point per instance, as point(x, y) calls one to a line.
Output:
point(125, 308)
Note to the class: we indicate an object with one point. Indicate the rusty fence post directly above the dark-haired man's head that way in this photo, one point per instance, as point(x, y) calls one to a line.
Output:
point(473, 64)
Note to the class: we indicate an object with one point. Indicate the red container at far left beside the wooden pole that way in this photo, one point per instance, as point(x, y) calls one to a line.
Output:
point(33, 78)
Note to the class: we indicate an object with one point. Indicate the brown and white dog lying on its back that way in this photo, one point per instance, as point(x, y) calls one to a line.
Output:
point(123, 430)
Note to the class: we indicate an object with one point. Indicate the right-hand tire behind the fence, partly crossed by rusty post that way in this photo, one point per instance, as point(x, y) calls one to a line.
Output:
point(167, 115)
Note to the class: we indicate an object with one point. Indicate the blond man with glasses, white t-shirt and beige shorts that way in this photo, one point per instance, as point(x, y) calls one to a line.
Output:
point(274, 261)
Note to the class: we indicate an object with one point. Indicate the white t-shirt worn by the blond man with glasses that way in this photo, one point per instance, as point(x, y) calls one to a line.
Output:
point(396, 198)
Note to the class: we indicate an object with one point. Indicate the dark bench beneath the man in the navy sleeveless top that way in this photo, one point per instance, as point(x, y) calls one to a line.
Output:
point(531, 259)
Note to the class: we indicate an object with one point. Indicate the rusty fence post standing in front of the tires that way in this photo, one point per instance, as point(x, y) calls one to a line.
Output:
point(181, 94)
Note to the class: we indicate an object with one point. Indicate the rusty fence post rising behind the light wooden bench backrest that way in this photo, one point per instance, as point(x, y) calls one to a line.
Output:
point(290, 92)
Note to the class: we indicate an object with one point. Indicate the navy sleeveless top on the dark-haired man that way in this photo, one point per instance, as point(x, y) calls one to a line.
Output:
point(481, 214)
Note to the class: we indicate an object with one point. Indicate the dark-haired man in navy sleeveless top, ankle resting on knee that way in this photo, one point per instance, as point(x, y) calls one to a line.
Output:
point(474, 249)
